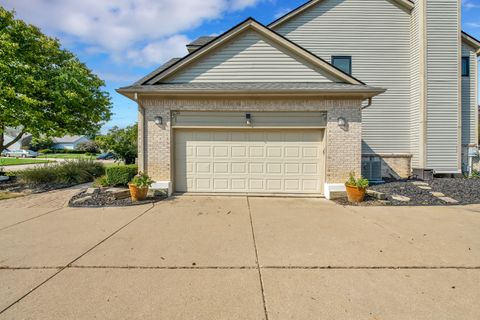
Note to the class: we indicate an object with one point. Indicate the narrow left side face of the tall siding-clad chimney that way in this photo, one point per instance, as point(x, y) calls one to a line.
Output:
point(416, 90)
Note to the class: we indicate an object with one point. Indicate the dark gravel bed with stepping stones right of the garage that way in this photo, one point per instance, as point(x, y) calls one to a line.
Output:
point(464, 191)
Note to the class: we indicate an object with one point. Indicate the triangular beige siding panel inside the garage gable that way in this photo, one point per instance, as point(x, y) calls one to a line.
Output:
point(250, 57)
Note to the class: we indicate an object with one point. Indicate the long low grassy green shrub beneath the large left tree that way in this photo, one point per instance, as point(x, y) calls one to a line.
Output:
point(68, 172)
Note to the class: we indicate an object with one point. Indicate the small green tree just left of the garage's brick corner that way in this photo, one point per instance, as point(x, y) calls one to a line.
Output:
point(122, 142)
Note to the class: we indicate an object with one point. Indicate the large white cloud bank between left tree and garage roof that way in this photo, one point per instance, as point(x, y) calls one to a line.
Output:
point(148, 31)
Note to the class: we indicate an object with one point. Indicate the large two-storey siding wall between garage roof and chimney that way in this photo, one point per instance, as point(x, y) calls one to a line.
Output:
point(376, 33)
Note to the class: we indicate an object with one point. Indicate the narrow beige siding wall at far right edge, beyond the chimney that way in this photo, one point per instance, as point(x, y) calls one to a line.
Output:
point(469, 99)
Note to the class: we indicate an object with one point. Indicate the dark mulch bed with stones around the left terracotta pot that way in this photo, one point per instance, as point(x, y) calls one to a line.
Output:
point(106, 199)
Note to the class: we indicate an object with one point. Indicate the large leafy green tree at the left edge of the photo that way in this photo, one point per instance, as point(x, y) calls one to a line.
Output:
point(44, 89)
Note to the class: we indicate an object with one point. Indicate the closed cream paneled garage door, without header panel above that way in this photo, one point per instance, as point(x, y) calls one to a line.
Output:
point(253, 161)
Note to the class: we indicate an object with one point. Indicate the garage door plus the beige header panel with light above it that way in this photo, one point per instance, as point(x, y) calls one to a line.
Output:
point(238, 152)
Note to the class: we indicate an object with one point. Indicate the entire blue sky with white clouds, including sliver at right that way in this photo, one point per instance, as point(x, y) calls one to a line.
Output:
point(123, 40)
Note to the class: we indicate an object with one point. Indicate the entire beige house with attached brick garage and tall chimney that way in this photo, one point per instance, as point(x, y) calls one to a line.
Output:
point(335, 86)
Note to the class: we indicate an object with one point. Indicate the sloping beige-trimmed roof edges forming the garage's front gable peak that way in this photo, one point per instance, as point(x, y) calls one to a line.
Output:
point(160, 74)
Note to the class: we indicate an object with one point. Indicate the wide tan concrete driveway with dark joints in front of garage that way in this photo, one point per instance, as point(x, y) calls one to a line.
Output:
point(237, 258)
